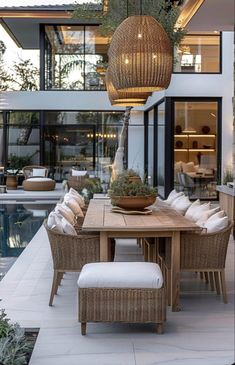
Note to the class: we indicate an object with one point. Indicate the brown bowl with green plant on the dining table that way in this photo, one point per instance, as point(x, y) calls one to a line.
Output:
point(129, 192)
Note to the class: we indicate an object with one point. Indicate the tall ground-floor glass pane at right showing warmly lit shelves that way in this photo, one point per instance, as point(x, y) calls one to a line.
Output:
point(196, 147)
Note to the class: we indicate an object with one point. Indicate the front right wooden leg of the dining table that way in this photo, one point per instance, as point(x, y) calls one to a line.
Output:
point(175, 272)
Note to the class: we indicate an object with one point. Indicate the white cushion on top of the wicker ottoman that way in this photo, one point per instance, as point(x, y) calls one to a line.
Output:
point(121, 275)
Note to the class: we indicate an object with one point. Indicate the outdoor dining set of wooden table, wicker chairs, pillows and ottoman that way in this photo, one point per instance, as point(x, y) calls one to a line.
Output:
point(178, 235)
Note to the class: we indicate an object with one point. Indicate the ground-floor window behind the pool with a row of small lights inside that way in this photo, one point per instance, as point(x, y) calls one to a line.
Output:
point(84, 140)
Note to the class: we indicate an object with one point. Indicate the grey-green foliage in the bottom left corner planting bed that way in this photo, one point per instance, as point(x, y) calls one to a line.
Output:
point(14, 348)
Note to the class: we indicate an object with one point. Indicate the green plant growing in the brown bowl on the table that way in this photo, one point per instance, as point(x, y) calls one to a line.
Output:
point(123, 186)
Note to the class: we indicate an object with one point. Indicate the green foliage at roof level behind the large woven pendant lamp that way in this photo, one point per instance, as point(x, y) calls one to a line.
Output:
point(164, 11)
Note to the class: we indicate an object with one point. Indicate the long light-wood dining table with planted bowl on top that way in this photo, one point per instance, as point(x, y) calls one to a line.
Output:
point(163, 222)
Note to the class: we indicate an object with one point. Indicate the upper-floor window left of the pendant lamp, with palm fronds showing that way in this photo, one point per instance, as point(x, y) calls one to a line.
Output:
point(75, 56)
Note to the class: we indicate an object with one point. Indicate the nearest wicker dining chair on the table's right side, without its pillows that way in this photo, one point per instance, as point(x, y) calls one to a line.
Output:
point(204, 253)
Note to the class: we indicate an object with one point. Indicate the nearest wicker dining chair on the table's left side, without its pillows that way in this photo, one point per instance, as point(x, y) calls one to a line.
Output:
point(70, 253)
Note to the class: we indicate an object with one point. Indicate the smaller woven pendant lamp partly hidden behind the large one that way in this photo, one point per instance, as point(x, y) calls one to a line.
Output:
point(118, 98)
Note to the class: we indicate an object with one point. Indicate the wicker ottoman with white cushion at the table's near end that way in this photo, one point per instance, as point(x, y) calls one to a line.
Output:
point(121, 292)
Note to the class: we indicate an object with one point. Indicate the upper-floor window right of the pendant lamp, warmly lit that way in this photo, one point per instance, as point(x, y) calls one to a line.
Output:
point(198, 53)
